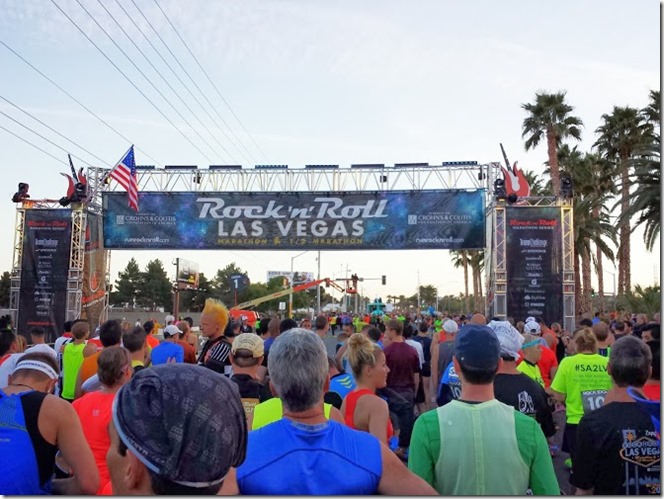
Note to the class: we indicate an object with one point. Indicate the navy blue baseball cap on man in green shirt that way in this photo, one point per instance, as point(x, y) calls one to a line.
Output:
point(477, 346)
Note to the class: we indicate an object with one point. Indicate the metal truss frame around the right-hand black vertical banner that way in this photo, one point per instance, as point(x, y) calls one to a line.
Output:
point(497, 261)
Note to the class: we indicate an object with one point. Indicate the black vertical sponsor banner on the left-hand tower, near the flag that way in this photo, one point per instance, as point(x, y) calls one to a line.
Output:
point(44, 269)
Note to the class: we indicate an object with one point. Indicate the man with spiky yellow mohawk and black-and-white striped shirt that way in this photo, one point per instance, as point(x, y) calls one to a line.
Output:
point(215, 352)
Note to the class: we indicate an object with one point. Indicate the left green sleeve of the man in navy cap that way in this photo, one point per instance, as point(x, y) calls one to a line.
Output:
point(422, 456)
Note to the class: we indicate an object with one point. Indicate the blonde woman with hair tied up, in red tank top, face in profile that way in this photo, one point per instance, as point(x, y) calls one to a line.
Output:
point(362, 409)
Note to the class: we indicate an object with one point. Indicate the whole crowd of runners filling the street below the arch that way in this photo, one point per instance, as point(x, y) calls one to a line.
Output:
point(422, 405)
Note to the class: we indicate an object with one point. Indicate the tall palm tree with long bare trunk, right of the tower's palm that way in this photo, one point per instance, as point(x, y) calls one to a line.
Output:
point(621, 134)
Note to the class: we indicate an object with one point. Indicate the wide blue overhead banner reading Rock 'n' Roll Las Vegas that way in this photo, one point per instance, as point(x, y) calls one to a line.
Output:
point(443, 219)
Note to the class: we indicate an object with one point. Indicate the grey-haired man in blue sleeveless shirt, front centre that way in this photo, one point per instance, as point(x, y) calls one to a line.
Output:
point(304, 453)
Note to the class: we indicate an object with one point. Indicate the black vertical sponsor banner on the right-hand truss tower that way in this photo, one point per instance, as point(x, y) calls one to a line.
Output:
point(534, 263)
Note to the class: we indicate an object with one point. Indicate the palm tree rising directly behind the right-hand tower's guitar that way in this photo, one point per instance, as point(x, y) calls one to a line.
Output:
point(550, 116)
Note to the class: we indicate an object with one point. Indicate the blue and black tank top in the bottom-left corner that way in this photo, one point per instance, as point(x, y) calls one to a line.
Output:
point(26, 459)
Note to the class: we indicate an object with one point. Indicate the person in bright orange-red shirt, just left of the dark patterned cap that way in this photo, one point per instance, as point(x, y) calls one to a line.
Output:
point(94, 409)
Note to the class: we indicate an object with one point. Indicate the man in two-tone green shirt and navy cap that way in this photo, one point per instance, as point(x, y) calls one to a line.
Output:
point(477, 445)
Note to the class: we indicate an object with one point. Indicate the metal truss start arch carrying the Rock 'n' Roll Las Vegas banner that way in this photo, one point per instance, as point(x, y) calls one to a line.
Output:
point(271, 207)
